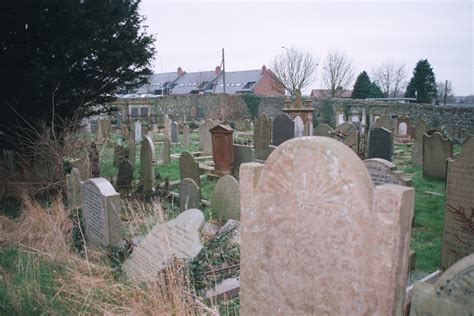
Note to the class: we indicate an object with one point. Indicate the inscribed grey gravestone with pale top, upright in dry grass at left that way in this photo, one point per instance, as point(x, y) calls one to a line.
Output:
point(101, 207)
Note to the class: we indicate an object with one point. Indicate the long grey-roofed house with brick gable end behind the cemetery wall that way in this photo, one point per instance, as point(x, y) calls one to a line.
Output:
point(261, 81)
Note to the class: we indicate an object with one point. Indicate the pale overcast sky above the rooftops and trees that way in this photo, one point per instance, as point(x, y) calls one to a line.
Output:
point(191, 34)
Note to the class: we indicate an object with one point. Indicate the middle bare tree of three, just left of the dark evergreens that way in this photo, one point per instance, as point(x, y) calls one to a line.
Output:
point(338, 73)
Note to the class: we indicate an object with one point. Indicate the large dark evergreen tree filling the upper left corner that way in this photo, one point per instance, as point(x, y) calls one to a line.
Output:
point(61, 57)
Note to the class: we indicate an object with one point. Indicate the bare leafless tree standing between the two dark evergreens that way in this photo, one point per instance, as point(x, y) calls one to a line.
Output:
point(391, 77)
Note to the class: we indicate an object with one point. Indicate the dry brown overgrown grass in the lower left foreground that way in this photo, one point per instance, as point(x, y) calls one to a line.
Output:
point(89, 285)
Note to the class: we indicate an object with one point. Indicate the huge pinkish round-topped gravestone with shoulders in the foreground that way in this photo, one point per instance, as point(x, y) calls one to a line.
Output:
point(297, 214)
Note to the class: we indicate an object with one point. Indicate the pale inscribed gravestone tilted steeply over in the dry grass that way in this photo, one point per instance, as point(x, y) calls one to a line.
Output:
point(178, 238)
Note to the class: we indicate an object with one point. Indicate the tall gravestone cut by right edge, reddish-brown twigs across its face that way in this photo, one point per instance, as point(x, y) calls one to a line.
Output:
point(458, 232)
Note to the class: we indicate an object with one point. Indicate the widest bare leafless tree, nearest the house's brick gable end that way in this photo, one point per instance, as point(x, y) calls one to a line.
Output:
point(294, 68)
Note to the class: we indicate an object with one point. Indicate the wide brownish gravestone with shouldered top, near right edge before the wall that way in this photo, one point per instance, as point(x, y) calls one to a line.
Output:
point(436, 151)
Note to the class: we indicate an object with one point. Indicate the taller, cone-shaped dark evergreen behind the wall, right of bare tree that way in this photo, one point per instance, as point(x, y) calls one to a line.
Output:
point(423, 83)
